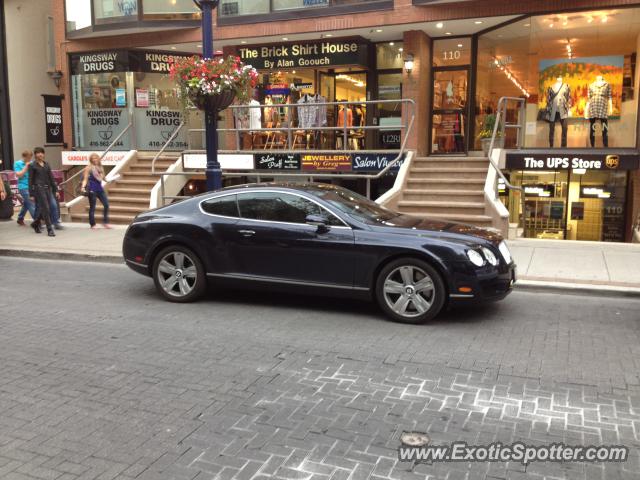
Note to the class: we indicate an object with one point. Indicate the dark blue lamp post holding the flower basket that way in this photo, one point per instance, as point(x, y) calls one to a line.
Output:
point(213, 171)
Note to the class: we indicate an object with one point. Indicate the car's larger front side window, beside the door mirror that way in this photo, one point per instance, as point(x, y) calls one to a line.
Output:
point(281, 207)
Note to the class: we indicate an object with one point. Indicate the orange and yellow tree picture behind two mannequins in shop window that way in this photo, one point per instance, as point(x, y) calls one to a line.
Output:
point(578, 74)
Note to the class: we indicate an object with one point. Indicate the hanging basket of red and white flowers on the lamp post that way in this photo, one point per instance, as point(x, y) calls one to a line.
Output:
point(213, 84)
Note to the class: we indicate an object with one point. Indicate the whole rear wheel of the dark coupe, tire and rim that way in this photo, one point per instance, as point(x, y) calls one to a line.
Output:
point(178, 274)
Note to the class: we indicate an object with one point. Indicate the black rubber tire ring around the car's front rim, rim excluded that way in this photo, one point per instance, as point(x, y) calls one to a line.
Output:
point(439, 290)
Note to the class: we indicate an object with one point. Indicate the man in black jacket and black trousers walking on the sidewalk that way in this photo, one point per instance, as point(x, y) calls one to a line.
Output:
point(42, 187)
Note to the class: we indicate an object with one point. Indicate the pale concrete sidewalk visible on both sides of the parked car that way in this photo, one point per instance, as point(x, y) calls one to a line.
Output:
point(542, 264)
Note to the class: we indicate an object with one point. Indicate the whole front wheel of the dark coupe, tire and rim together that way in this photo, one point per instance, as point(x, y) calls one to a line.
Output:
point(410, 290)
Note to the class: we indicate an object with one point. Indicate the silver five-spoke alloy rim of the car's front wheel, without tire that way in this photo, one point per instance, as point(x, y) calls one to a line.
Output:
point(409, 291)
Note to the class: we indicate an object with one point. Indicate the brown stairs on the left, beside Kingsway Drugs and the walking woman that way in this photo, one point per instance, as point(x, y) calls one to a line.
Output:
point(130, 194)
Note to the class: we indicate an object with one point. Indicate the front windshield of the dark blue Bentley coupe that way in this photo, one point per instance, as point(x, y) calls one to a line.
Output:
point(357, 206)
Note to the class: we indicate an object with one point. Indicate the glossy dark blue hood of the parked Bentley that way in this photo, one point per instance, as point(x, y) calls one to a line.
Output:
point(428, 227)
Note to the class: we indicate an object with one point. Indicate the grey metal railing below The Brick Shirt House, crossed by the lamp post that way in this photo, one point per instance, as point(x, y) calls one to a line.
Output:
point(406, 126)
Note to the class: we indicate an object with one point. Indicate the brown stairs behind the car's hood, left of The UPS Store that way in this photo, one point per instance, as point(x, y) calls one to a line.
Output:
point(447, 188)
